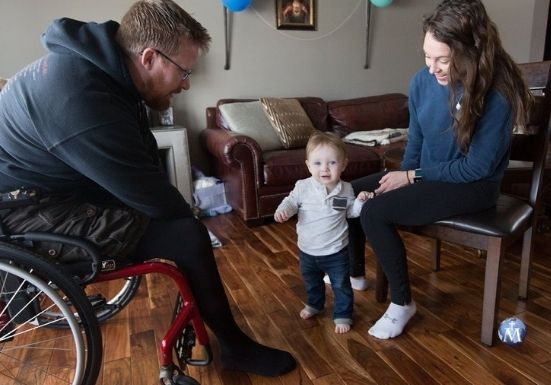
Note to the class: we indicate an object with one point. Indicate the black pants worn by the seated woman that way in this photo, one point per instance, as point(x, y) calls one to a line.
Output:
point(412, 205)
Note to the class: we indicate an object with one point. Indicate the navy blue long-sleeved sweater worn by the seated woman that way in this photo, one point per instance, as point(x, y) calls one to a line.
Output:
point(432, 145)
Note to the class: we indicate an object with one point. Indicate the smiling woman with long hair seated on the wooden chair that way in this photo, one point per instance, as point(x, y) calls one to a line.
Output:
point(463, 106)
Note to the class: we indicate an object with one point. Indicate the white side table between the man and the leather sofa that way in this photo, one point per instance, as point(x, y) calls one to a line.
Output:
point(173, 149)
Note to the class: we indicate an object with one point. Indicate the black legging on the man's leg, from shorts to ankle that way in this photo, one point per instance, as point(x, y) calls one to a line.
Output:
point(186, 242)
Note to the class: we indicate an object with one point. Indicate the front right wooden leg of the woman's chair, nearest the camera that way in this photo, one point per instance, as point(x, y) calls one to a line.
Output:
point(492, 285)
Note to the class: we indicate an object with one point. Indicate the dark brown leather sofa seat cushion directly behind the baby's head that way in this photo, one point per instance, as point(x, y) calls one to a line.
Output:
point(285, 167)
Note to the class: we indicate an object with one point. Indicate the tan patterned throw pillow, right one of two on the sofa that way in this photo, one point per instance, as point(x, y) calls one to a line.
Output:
point(289, 120)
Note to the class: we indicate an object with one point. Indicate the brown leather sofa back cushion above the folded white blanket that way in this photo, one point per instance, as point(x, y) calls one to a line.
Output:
point(368, 113)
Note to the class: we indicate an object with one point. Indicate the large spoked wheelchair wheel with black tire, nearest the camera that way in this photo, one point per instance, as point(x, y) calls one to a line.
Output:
point(33, 296)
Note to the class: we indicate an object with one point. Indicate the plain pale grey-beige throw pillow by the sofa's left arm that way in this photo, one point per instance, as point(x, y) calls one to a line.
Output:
point(248, 118)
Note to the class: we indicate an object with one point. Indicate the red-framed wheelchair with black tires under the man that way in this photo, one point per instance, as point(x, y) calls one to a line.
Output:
point(50, 318)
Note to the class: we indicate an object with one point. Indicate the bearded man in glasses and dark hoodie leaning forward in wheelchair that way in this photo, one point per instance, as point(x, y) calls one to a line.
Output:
point(74, 131)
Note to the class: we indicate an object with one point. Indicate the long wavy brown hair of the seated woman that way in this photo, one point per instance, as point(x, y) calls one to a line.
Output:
point(478, 63)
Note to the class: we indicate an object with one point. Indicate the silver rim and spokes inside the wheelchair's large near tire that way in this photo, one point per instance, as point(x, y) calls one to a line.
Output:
point(31, 353)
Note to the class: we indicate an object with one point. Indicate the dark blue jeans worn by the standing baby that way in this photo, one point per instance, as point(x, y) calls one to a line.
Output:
point(335, 265)
